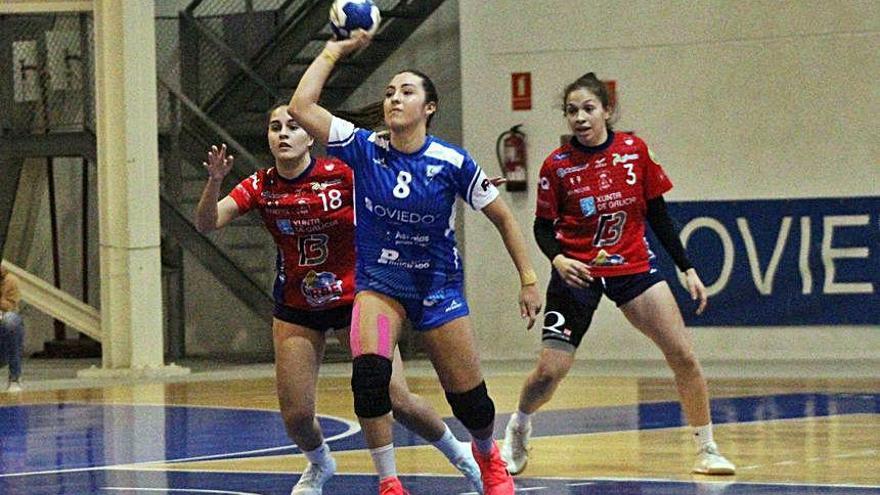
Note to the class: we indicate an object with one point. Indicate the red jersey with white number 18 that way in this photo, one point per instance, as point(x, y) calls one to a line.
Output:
point(311, 219)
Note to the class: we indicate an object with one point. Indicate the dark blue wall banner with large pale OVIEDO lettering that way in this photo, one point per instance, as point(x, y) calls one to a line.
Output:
point(781, 262)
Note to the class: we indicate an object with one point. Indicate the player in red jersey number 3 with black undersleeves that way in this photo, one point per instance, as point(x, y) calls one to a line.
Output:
point(595, 195)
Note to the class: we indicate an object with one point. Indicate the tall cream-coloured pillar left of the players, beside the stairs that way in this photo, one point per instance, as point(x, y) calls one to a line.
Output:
point(128, 190)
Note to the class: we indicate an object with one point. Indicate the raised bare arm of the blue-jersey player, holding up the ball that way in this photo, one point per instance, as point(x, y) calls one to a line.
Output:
point(304, 106)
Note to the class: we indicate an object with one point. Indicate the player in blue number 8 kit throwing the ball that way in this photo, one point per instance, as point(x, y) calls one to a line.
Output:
point(407, 264)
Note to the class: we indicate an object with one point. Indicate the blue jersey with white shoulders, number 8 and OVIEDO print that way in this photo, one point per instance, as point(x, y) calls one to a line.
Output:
point(405, 211)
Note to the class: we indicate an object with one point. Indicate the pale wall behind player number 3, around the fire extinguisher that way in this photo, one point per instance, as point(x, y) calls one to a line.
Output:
point(739, 100)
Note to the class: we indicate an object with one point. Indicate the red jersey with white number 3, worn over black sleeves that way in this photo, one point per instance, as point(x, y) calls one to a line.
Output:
point(597, 197)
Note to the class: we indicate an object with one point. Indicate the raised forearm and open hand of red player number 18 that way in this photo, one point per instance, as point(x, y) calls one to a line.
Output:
point(210, 213)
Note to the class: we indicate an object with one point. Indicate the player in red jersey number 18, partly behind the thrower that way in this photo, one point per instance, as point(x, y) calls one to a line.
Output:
point(306, 204)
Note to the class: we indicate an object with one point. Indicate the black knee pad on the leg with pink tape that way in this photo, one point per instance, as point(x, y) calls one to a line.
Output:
point(370, 377)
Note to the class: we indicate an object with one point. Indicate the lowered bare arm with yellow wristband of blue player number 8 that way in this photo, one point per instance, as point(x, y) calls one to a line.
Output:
point(529, 298)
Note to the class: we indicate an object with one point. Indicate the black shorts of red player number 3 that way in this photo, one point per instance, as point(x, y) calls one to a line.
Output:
point(569, 310)
